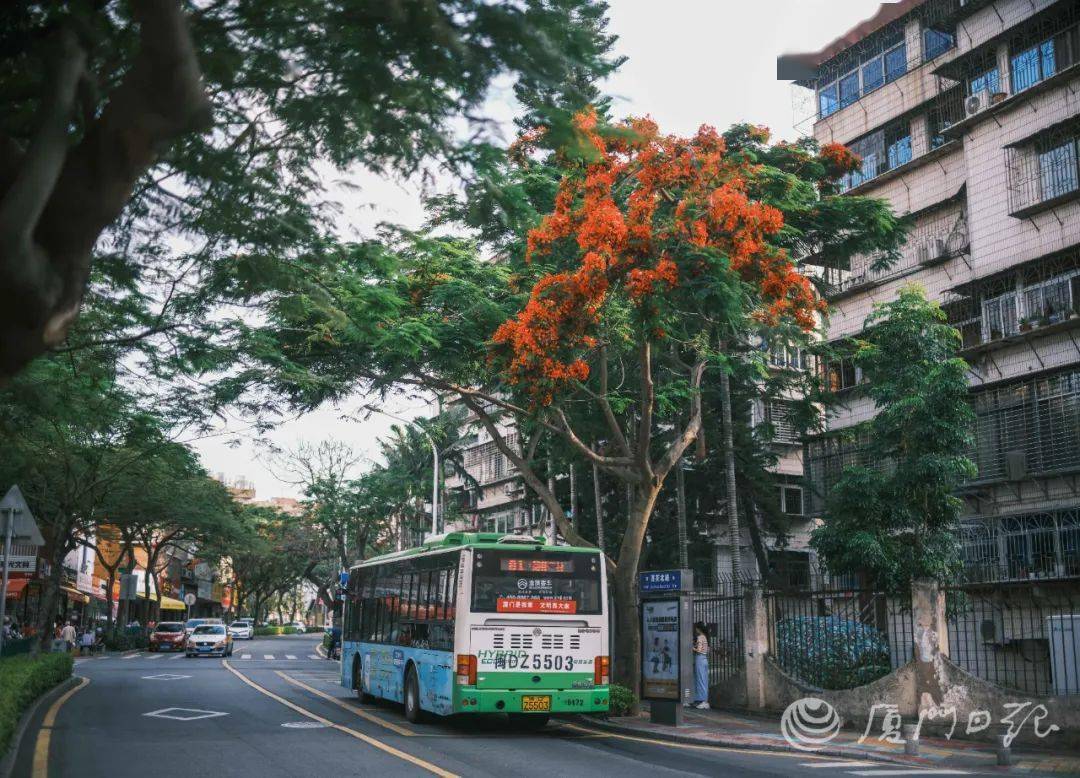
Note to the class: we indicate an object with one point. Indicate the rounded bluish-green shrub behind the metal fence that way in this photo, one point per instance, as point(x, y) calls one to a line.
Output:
point(832, 653)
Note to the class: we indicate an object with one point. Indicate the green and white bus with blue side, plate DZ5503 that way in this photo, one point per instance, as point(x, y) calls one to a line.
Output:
point(480, 623)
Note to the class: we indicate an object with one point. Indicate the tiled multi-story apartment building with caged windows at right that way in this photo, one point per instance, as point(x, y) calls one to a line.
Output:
point(966, 115)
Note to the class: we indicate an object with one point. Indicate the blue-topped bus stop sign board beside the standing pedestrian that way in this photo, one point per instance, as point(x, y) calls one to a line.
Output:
point(667, 613)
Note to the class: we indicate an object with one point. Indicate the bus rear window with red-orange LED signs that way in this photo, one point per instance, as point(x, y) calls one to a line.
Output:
point(510, 582)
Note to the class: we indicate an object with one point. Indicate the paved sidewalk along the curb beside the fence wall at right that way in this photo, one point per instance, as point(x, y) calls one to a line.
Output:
point(733, 730)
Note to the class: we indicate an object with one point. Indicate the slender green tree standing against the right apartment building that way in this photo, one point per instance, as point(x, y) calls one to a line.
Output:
point(894, 516)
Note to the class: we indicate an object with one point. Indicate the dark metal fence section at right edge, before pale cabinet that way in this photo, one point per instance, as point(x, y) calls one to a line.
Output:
point(1020, 635)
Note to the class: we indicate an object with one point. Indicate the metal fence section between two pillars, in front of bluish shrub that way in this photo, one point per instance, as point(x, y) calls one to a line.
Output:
point(835, 635)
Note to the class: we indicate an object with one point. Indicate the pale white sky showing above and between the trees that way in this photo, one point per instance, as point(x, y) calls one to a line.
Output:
point(691, 63)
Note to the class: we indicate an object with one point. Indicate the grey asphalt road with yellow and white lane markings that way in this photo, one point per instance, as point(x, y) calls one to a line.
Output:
point(276, 709)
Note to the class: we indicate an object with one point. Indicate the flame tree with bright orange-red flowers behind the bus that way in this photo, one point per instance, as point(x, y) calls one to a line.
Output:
point(632, 271)
